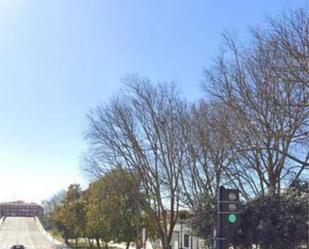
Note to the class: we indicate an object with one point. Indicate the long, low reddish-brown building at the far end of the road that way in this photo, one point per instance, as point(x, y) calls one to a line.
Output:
point(20, 208)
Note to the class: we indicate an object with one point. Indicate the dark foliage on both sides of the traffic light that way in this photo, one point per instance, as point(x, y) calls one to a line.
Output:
point(272, 221)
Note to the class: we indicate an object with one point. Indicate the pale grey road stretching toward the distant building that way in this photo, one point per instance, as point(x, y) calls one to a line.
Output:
point(25, 231)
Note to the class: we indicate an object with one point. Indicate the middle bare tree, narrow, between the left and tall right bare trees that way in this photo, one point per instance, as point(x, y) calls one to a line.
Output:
point(208, 151)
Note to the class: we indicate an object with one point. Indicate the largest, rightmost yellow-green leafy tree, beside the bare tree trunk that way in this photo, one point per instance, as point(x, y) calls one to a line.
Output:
point(112, 209)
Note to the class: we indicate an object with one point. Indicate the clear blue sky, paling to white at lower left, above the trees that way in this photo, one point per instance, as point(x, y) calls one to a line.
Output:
point(58, 58)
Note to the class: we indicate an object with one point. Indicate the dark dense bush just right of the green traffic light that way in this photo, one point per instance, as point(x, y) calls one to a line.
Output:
point(275, 221)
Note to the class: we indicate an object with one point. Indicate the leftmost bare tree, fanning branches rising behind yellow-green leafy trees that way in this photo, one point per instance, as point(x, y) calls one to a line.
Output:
point(142, 131)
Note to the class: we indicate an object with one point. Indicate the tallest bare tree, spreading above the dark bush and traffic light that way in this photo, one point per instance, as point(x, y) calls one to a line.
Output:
point(266, 87)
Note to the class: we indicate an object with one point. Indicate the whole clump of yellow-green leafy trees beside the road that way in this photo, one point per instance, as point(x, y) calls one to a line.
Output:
point(110, 209)
